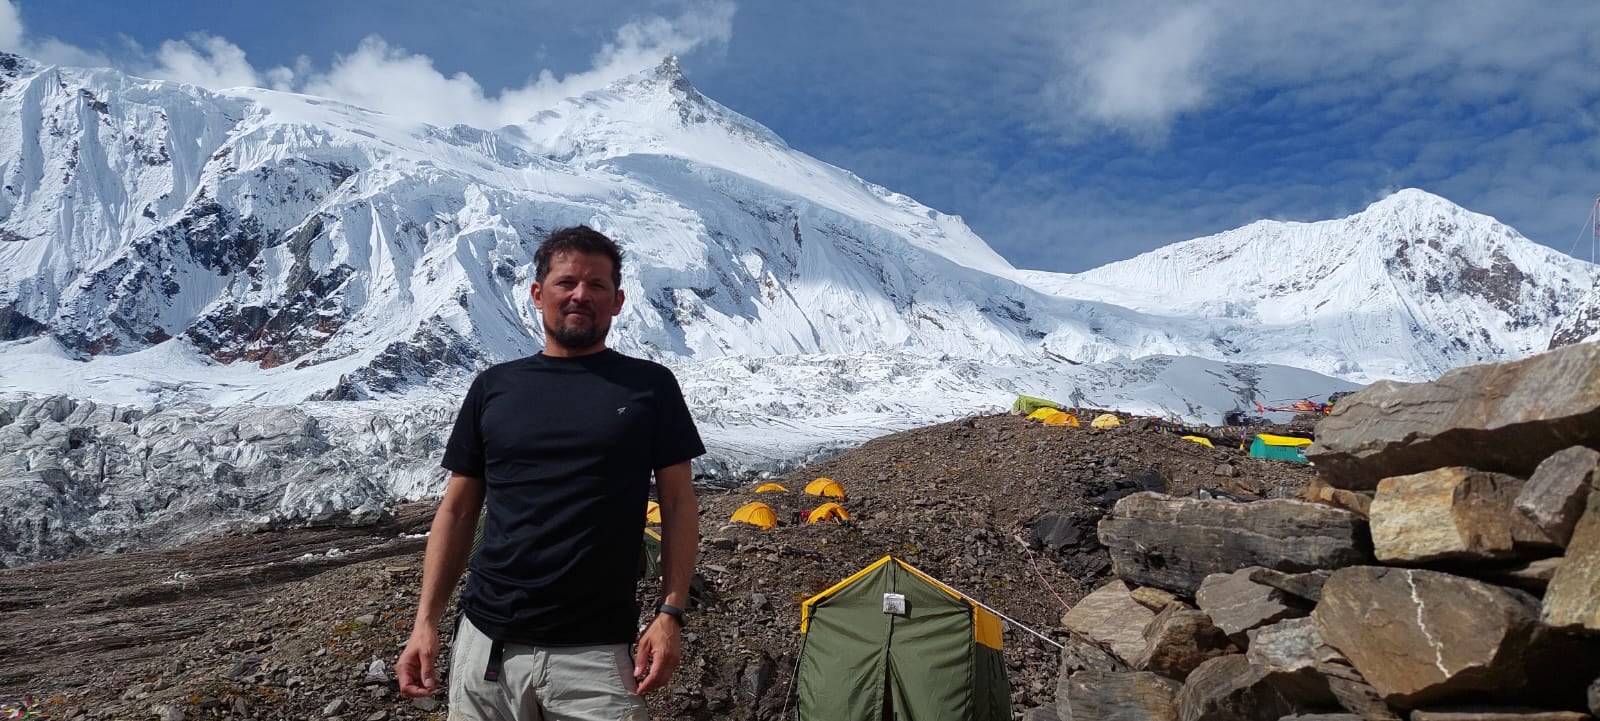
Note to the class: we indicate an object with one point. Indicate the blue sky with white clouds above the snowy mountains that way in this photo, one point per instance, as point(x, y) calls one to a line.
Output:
point(1068, 135)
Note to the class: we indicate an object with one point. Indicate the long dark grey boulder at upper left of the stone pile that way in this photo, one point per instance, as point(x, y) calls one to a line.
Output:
point(1175, 544)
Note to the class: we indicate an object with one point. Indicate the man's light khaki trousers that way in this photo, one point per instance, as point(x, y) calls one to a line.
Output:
point(542, 683)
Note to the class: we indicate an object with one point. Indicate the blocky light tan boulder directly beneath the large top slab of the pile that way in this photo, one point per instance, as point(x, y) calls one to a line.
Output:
point(1450, 516)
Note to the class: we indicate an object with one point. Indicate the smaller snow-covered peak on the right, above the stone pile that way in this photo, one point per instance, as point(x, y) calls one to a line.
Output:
point(1407, 289)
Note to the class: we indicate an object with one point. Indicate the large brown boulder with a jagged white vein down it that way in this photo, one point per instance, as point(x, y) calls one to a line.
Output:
point(1425, 635)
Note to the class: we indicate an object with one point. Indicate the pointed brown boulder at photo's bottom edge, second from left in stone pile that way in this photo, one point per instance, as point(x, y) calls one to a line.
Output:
point(1230, 688)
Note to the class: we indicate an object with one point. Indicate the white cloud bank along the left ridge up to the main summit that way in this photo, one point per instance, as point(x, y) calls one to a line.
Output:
point(393, 81)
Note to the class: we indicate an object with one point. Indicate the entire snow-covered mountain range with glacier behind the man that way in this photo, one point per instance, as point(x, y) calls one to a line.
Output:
point(185, 252)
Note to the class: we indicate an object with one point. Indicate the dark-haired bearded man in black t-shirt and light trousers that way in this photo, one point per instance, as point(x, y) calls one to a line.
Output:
point(559, 448)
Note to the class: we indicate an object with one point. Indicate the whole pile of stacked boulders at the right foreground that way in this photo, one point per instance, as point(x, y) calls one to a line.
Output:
point(1444, 565)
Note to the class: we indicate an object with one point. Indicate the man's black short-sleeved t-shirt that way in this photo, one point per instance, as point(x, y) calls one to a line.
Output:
point(566, 448)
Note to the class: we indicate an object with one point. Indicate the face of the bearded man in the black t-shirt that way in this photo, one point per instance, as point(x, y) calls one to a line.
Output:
point(577, 303)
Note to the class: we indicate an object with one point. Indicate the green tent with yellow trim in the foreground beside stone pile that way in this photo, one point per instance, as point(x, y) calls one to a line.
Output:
point(894, 643)
